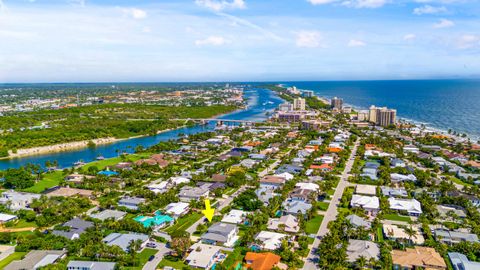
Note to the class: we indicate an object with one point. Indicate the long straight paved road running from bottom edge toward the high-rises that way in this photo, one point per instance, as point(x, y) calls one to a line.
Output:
point(332, 211)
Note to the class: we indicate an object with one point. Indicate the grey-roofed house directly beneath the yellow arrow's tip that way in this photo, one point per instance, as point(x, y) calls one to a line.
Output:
point(221, 234)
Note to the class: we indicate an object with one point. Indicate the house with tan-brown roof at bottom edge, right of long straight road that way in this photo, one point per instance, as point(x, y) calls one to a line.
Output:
point(417, 258)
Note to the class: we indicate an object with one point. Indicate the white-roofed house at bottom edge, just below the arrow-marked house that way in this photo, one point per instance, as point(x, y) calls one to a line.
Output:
point(203, 256)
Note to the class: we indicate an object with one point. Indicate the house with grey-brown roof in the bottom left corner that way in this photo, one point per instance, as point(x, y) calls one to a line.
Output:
point(37, 259)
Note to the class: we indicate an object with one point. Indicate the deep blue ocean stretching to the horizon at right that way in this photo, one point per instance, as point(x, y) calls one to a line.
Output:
point(439, 104)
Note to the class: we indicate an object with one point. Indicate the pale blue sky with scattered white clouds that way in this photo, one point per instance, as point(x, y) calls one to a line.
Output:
point(237, 40)
